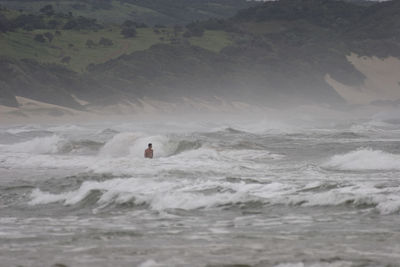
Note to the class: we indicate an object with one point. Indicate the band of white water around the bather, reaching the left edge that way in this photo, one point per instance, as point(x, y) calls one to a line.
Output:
point(123, 155)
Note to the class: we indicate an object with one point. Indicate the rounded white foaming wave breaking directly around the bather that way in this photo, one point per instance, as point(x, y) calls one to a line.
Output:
point(123, 155)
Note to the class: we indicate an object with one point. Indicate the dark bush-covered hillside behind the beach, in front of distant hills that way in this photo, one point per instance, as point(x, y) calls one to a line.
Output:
point(262, 54)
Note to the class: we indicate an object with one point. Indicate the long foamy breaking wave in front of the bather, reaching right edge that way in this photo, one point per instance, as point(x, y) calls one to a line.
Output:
point(204, 194)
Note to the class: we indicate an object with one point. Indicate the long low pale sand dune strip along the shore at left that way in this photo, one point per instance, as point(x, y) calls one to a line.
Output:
point(32, 110)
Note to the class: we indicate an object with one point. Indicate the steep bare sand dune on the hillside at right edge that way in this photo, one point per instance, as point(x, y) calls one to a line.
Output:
point(382, 80)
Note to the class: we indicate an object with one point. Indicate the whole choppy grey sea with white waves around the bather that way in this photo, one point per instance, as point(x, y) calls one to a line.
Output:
point(83, 195)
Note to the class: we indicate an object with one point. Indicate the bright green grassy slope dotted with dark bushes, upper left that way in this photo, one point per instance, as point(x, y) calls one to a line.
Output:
point(81, 46)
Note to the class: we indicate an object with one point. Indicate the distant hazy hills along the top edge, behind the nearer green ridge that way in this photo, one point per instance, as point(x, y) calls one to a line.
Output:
point(151, 12)
